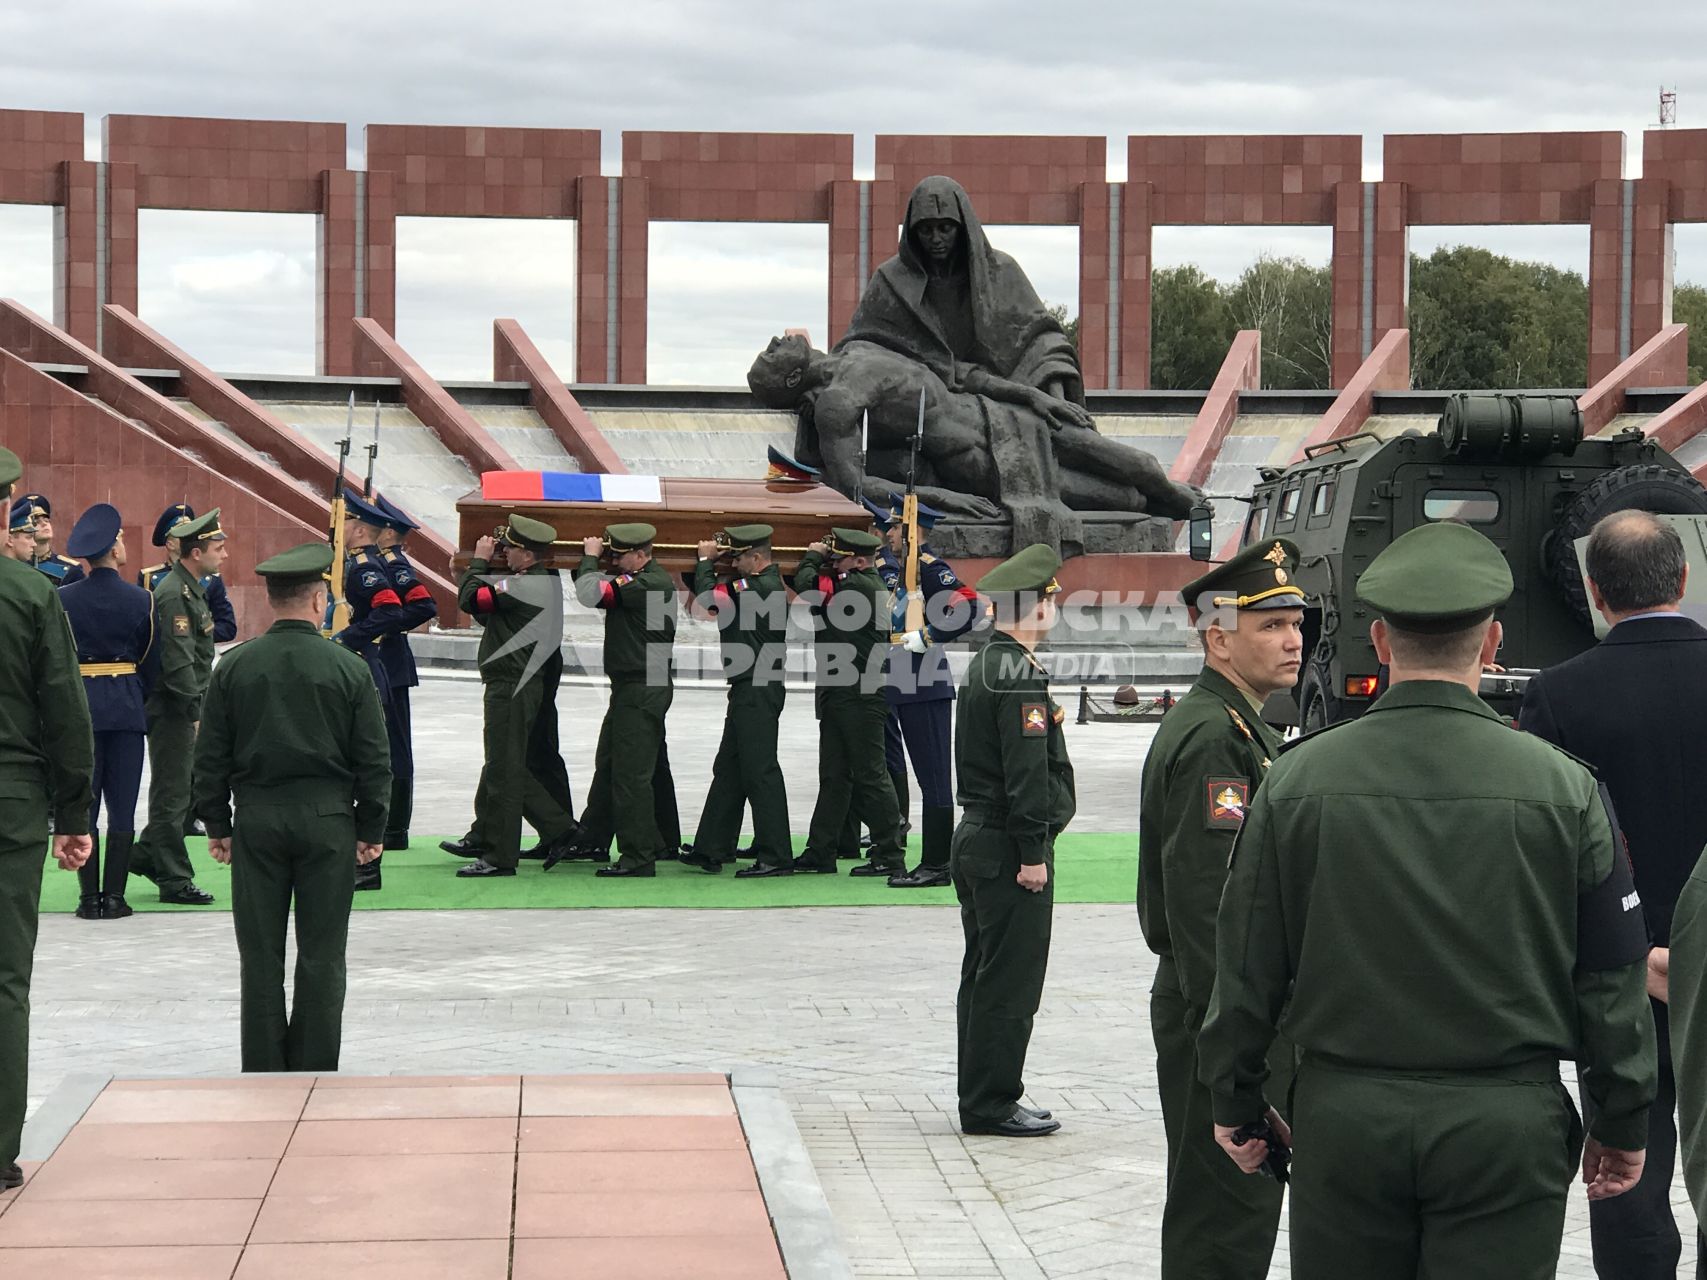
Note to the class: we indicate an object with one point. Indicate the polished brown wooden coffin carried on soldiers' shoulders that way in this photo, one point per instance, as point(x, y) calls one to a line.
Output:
point(692, 509)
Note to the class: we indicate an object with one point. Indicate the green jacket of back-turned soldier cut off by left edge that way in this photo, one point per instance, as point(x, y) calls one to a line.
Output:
point(47, 745)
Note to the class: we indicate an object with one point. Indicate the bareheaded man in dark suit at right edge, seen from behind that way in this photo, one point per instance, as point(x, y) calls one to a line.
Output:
point(1634, 707)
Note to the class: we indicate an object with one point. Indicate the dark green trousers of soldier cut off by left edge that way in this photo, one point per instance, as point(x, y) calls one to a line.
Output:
point(23, 847)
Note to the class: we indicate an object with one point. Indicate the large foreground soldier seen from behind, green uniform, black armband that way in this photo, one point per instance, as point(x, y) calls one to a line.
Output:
point(1443, 911)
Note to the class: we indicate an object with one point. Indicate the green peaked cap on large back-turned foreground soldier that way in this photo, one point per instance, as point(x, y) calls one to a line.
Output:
point(1436, 579)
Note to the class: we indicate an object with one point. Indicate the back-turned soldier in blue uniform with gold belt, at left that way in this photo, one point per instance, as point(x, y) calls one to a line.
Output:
point(114, 627)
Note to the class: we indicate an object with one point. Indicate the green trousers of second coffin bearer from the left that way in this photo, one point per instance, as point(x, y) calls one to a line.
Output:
point(620, 798)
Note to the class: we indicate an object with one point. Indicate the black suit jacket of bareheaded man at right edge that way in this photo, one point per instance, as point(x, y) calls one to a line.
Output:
point(1636, 709)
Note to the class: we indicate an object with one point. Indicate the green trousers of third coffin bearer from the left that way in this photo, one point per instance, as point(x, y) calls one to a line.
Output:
point(747, 772)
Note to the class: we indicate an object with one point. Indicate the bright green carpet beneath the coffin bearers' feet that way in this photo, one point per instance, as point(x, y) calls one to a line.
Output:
point(1090, 870)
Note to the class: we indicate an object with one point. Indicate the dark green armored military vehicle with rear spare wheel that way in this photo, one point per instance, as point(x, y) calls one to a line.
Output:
point(1517, 468)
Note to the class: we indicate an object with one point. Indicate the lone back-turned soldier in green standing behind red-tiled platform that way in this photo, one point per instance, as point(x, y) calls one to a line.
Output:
point(293, 735)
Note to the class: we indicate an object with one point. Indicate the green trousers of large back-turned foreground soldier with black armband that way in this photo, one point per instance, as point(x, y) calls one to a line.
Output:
point(1457, 1177)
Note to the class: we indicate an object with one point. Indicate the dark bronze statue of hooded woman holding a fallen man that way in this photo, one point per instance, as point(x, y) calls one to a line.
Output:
point(1006, 428)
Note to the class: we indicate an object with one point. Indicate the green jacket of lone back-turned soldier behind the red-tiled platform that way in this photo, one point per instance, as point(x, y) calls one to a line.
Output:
point(293, 718)
